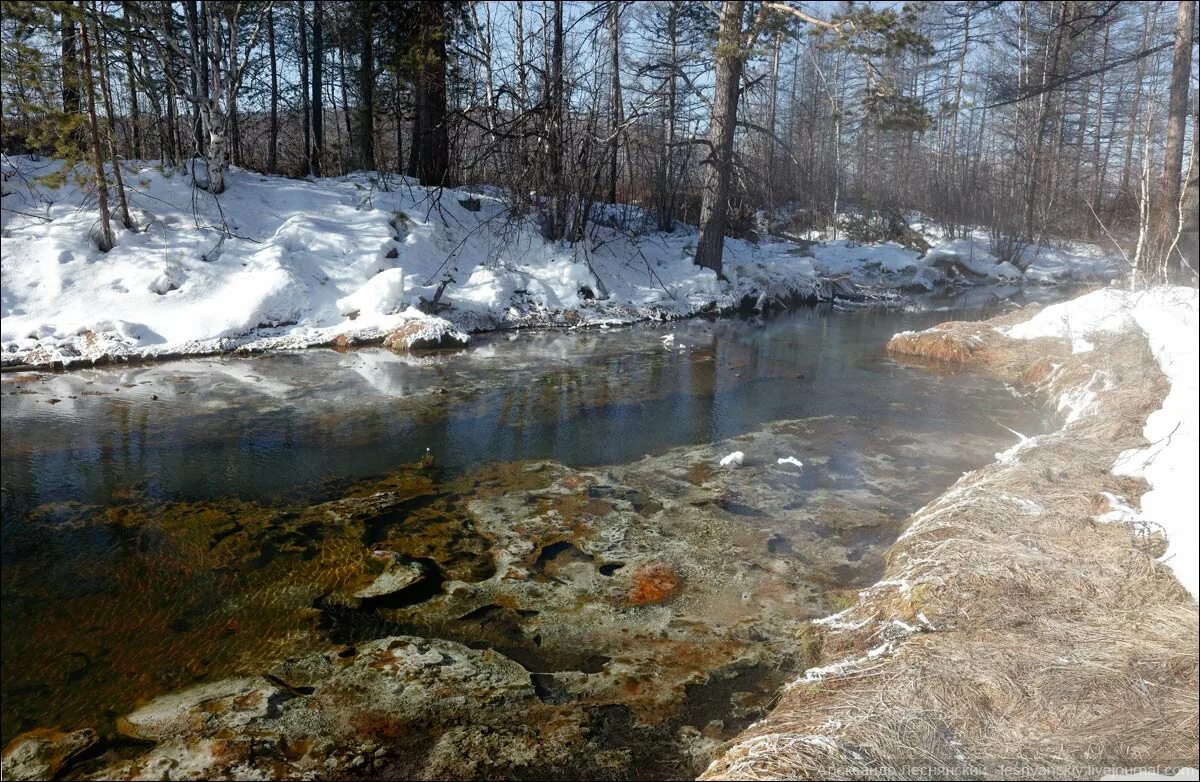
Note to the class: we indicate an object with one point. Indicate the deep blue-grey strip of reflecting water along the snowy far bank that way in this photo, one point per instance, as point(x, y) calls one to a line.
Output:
point(269, 428)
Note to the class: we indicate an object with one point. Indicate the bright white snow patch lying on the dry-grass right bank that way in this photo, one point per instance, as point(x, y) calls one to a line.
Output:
point(1169, 465)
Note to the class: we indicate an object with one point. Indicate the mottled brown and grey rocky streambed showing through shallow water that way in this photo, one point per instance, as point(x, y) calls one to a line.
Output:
point(523, 621)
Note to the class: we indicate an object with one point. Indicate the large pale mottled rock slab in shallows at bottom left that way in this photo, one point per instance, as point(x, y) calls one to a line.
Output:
point(316, 714)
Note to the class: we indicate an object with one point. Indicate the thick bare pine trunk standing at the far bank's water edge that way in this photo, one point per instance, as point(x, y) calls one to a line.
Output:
point(724, 122)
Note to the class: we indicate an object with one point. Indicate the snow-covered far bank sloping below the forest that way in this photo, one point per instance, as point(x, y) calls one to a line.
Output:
point(281, 263)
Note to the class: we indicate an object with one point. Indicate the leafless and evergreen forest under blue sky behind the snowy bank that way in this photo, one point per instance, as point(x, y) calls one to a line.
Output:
point(1036, 122)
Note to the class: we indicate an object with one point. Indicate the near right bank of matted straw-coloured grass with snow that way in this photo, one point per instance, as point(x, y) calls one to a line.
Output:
point(1039, 621)
